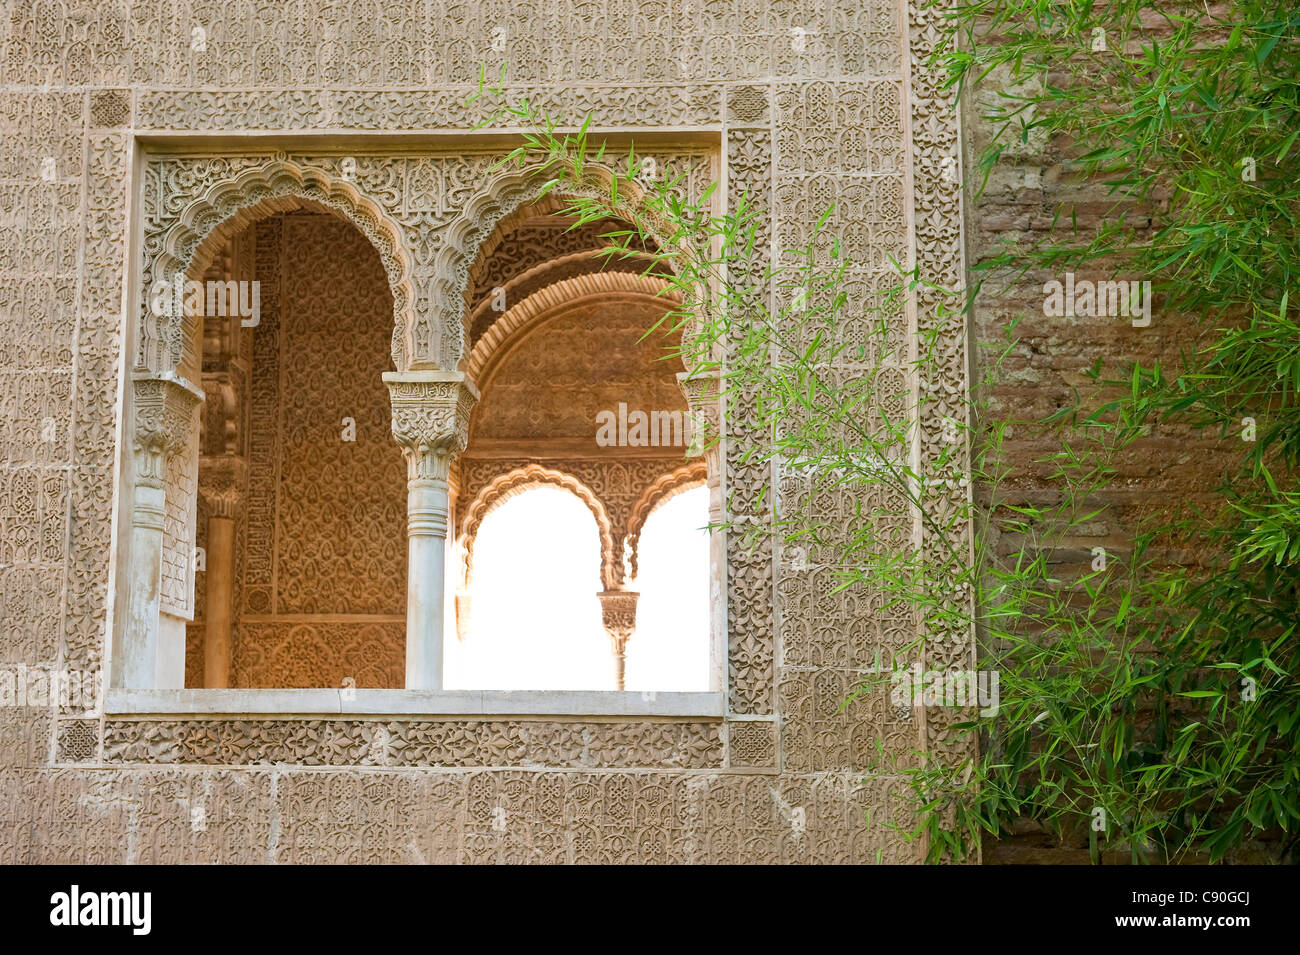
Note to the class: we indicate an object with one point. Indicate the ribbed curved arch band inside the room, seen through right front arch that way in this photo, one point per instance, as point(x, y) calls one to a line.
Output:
point(547, 303)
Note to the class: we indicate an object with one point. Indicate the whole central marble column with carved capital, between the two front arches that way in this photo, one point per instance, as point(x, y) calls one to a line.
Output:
point(431, 422)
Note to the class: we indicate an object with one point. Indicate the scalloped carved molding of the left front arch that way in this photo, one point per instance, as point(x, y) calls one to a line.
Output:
point(229, 206)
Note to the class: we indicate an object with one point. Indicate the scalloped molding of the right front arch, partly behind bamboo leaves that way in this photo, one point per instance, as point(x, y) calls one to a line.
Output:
point(480, 228)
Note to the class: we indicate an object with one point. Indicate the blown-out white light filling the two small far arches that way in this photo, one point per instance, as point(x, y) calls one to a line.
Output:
point(536, 620)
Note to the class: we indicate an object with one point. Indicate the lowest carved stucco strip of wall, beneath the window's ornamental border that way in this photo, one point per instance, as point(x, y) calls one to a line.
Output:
point(519, 817)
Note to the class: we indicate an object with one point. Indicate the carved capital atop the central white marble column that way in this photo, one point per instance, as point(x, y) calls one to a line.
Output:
point(431, 419)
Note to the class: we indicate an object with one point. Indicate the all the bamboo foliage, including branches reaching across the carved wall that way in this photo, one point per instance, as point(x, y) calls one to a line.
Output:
point(1158, 691)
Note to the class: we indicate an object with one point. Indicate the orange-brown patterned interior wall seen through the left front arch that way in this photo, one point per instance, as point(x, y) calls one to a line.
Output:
point(327, 500)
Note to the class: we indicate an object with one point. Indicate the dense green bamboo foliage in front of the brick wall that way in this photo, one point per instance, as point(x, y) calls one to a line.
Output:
point(1163, 689)
